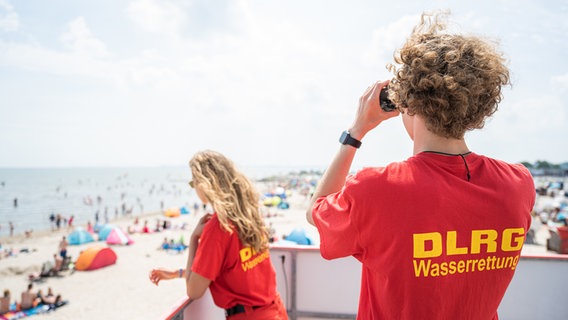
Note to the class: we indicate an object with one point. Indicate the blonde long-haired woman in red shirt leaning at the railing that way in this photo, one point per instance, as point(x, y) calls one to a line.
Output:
point(228, 250)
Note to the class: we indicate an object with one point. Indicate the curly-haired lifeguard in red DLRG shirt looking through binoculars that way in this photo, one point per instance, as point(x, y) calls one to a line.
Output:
point(439, 235)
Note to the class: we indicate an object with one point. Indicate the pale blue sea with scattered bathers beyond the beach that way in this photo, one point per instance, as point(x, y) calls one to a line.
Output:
point(28, 196)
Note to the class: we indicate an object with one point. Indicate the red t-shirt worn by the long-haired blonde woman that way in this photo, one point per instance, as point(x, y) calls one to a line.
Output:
point(238, 274)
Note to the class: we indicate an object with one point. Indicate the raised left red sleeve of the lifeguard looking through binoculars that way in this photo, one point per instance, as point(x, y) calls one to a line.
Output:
point(336, 225)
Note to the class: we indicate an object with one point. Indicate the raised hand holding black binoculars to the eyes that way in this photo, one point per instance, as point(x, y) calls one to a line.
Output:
point(369, 114)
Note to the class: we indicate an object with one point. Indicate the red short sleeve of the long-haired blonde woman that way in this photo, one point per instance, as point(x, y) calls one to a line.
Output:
point(210, 253)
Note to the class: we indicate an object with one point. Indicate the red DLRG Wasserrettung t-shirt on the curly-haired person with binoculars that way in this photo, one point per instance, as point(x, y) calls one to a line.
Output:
point(433, 245)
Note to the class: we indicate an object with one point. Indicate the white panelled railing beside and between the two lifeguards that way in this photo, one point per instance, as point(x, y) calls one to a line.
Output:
point(315, 288)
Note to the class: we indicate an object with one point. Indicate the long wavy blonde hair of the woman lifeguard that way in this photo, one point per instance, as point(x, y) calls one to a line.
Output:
point(232, 196)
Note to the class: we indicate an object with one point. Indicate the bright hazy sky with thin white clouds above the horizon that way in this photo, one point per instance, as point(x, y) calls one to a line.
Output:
point(267, 83)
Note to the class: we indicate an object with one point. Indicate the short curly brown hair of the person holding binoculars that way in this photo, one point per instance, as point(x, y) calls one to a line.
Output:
point(452, 81)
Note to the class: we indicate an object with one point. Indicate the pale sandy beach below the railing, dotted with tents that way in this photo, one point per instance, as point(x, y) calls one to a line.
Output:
point(122, 290)
